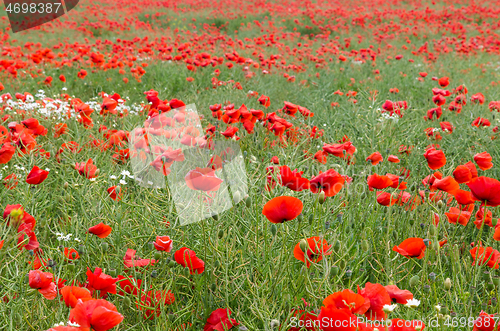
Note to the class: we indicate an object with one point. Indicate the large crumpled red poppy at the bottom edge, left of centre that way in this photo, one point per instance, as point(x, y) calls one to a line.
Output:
point(98, 315)
